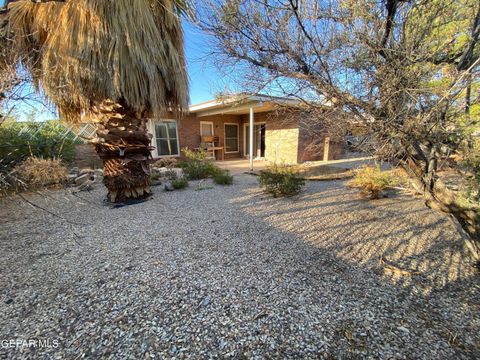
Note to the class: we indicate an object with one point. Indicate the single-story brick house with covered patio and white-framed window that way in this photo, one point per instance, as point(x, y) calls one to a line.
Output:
point(280, 133)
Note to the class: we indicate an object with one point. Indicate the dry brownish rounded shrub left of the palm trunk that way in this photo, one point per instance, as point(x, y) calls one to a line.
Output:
point(40, 172)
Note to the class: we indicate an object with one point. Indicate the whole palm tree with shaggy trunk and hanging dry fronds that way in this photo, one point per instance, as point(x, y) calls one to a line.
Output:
point(114, 62)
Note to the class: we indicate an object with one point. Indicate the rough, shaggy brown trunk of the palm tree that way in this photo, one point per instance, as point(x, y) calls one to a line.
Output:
point(123, 143)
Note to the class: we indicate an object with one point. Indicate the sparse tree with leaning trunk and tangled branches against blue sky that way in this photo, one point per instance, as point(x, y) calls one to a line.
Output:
point(399, 67)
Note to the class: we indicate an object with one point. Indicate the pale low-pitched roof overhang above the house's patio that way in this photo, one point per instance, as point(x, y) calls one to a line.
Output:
point(240, 104)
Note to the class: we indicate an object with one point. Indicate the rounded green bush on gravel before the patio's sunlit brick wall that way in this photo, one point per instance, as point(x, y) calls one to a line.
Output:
point(281, 181)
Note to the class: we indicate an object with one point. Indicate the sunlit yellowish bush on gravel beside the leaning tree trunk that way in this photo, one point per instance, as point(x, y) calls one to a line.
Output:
point(372, 181)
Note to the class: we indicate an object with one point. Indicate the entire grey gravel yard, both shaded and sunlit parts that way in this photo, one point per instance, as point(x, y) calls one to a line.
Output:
point(227, 272)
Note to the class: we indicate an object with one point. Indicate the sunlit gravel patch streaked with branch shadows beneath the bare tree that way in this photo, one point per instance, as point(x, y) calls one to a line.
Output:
point(397, 242)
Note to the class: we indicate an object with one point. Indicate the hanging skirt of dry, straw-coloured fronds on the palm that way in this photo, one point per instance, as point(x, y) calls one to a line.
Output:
point(83, 52)
